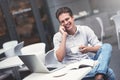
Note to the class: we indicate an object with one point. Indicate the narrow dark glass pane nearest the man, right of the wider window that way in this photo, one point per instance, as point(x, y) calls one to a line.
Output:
point(46, 21)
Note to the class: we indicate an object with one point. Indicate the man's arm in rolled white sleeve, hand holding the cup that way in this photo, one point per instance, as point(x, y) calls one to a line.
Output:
point(92, 40)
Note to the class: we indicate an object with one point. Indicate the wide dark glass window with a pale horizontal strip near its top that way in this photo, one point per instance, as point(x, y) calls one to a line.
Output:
point(24, 19)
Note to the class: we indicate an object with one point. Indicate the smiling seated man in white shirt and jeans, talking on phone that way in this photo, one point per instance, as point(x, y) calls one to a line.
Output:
point(71, 35)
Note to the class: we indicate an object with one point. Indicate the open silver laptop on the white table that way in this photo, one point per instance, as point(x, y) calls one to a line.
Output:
point(35, 64)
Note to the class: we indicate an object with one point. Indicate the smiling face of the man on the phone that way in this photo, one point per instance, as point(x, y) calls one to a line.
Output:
point(66, 21)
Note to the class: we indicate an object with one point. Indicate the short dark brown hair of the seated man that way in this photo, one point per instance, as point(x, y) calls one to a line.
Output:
point(63, 10)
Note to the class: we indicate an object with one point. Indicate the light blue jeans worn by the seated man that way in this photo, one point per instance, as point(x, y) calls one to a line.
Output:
point(103, 55)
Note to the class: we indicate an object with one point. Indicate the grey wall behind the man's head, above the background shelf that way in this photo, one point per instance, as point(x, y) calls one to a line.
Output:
point(108, 6)
